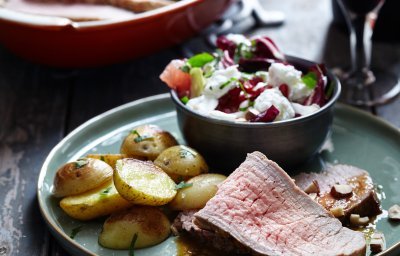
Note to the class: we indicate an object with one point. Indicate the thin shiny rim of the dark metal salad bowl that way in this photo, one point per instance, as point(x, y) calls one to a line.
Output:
point(287, 122)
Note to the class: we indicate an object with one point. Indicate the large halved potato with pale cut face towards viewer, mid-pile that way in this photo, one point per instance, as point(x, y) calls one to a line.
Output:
point(142, 182)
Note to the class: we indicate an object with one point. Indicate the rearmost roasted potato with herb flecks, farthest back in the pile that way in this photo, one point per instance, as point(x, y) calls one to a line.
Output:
point(147, 141)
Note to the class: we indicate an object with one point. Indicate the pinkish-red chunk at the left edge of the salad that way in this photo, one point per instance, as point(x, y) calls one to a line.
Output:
point(175, 78)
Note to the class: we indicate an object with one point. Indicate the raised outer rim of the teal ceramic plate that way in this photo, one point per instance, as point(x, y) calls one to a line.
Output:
point(58, 233)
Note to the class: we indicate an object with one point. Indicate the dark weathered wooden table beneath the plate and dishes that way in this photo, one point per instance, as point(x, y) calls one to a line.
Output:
point(39, 105)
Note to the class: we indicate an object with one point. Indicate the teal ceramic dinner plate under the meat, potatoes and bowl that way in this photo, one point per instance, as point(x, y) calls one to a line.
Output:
point(358, 139)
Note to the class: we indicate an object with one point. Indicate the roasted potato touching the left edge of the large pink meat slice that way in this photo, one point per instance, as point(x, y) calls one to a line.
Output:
point(199, 190)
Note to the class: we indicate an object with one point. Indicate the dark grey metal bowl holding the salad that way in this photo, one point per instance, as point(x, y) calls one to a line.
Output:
point(225, 144)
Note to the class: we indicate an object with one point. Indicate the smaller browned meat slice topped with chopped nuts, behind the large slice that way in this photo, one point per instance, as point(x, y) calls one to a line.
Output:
point(363, 200)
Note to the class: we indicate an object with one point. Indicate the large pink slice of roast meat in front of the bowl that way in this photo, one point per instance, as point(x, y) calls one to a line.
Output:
point(262, 209)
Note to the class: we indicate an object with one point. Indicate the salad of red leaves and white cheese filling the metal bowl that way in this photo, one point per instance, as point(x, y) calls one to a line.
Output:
point(247, 80)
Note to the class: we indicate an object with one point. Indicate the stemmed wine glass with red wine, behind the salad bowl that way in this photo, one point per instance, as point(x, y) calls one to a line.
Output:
point(365, 87)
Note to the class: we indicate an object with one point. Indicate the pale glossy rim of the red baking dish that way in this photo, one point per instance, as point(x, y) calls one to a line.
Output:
point(52, 22)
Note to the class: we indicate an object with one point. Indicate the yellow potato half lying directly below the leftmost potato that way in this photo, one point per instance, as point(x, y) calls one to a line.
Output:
point(101, 201)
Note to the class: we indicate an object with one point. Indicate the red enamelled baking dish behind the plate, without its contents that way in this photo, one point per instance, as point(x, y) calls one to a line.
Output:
point(61, 42)
